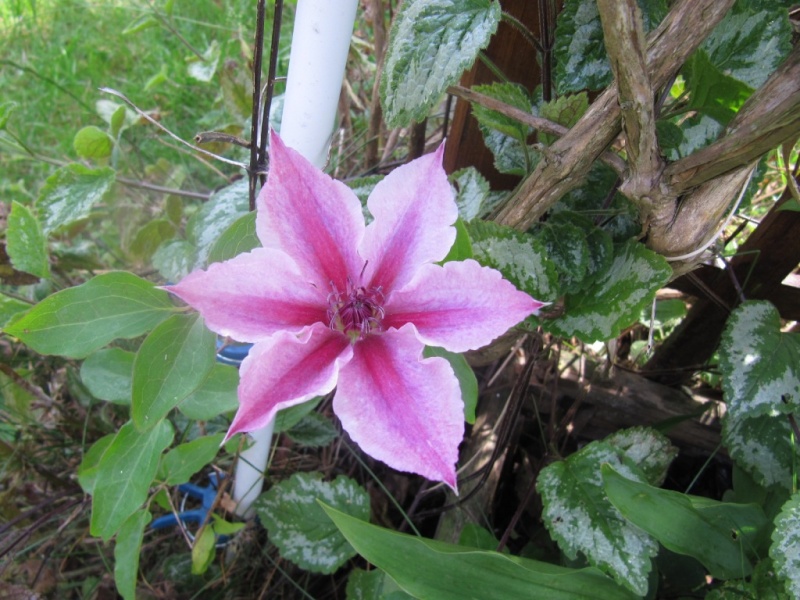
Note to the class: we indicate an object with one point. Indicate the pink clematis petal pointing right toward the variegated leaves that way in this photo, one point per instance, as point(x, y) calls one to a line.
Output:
point(459, 306)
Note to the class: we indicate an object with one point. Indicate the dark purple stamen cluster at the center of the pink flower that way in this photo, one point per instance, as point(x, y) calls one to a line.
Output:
point(357, 311)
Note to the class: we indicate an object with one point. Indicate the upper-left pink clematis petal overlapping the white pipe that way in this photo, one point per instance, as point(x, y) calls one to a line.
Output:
point(313, 218)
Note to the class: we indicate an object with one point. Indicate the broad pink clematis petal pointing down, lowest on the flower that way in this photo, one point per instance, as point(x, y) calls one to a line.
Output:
point(401, 409)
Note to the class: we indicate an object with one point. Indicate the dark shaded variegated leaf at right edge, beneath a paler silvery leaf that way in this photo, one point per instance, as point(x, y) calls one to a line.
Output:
point(763, 446)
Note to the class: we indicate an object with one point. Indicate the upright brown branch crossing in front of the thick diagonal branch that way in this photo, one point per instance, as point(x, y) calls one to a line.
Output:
point(623, 34)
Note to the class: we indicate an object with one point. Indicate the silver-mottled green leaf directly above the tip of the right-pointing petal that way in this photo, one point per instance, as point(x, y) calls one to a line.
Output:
point(521, 258)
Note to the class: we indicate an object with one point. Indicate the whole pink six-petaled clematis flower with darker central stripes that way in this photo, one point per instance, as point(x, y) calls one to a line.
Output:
point(332, 303)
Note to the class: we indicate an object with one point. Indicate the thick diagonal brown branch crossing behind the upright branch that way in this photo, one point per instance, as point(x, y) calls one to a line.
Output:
point(680, 33)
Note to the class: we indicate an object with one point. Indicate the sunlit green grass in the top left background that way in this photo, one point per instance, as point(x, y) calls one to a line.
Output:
point(55, 54)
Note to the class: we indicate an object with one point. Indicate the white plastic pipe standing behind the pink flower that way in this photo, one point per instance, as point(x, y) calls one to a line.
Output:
point(320, 43)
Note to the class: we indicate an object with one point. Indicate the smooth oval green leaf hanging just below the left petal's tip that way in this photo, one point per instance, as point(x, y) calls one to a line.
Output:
point(171, 363)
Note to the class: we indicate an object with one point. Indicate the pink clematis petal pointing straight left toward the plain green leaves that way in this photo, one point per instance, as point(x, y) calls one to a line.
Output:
point(252, 296)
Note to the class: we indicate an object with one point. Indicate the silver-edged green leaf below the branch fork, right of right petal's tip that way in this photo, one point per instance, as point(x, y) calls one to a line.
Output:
point(616, 298)
